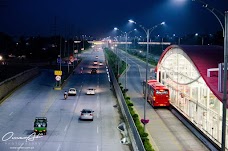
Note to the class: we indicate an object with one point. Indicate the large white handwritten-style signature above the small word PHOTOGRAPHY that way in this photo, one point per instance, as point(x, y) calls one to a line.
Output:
point(10, 136)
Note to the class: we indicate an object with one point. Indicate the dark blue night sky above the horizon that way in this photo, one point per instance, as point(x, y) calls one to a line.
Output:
point(97, 18)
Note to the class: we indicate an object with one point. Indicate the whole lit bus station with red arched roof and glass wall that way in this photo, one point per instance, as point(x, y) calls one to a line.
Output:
point(194, 79)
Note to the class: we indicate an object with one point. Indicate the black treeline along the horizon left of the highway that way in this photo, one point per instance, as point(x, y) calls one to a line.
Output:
point(39, 48)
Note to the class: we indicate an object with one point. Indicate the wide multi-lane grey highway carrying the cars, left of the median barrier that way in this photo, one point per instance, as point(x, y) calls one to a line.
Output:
point(65, 132)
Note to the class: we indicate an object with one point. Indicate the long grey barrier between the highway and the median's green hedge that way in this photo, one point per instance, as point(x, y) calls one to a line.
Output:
point(136, 141)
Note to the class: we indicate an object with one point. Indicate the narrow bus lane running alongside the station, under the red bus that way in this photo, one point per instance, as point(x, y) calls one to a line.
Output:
point(166, 132)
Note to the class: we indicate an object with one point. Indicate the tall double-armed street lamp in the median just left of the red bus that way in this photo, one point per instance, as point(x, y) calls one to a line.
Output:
point(147, 31)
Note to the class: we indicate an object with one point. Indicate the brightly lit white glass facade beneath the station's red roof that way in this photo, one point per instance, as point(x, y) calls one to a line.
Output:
point(190, 94)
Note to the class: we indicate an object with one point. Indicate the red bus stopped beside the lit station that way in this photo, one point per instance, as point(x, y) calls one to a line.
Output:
point(158, 94)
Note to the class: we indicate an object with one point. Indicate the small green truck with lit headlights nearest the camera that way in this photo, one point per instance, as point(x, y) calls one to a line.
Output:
point(40, 125)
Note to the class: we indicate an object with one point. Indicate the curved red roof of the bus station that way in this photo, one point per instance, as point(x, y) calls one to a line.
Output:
point(203, 57)
